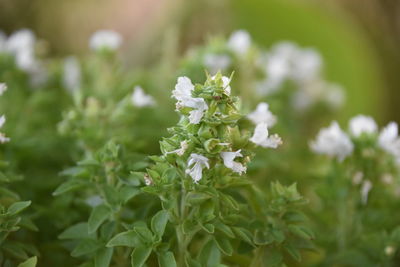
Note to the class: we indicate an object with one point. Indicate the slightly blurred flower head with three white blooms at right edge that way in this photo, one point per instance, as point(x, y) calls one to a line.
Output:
point(363, 143)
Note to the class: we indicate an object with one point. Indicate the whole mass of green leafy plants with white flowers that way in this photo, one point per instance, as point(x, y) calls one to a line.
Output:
point(97, 169)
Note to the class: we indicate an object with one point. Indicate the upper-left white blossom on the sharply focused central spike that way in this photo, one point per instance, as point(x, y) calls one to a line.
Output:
point(183, 93)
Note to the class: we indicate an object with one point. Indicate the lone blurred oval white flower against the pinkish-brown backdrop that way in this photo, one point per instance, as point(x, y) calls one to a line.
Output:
point(105, 39)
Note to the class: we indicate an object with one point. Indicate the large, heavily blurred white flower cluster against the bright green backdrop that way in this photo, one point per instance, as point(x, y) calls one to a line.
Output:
point(288, 62)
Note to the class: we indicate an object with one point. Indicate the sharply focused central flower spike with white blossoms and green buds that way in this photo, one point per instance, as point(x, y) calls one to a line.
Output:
point(207, 134)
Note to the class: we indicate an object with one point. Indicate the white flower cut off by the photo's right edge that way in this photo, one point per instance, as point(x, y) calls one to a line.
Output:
point(389, 140)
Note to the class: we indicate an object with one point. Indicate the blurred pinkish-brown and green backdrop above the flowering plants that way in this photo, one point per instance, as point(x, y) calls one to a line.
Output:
point(359, 39)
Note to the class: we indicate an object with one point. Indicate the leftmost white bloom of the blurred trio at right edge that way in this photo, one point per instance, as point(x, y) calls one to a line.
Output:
point(332, 141)
